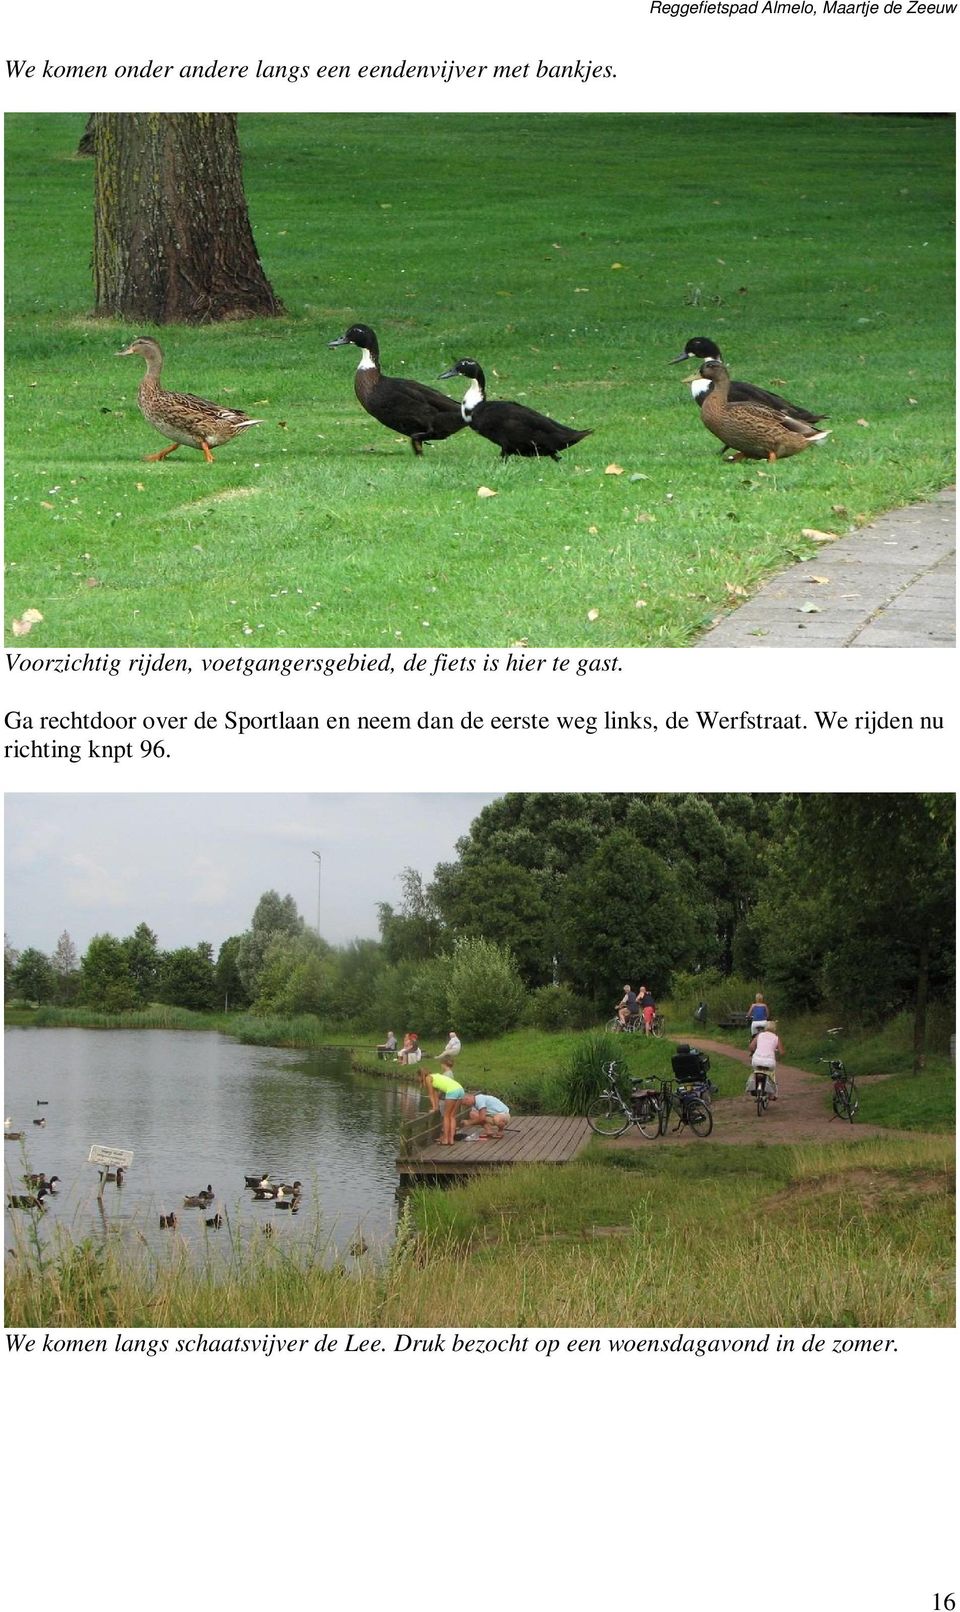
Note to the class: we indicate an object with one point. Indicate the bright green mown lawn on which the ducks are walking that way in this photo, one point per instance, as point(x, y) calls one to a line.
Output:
point(573, 256)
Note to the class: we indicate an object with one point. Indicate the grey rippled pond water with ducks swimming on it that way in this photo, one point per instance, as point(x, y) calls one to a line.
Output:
point(197, 1108)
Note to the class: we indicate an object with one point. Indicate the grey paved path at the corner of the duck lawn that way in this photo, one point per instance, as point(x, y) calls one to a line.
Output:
point(890, 586)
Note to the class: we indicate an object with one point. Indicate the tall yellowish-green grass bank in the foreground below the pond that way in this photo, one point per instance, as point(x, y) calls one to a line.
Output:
point(763, 1237)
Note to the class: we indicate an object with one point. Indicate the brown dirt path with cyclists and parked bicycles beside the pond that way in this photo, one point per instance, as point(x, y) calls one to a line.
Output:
point(800, 1115)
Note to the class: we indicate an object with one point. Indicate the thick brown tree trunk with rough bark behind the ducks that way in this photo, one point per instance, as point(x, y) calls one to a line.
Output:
point(172, 235)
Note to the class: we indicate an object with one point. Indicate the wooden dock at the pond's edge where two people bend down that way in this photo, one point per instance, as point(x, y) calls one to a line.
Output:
point(529, 1139)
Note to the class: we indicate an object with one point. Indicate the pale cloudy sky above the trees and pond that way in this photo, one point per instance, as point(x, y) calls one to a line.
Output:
point(194, 866)
